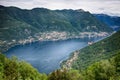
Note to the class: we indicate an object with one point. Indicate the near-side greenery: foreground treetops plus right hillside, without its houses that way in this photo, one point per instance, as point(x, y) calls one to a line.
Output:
point(99, 64)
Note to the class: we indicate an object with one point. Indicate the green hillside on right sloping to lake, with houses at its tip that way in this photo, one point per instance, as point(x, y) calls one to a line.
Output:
point(101, 50)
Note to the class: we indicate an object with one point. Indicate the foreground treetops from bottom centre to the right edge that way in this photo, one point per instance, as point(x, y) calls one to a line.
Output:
point(103, 70)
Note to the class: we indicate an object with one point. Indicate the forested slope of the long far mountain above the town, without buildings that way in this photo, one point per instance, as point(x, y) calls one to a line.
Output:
point(42, 20)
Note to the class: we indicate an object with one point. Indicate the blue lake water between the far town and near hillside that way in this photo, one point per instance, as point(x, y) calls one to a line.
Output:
point(47, 55)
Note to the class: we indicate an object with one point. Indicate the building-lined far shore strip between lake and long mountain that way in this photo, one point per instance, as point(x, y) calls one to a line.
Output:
point(50, 36)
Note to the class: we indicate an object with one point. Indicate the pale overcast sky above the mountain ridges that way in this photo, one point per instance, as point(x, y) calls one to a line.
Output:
point(111, 7)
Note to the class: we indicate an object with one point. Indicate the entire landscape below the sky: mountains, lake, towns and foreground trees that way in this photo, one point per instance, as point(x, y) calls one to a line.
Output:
point(65, 44)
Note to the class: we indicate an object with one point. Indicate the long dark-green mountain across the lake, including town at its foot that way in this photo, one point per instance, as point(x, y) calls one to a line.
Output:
point(20, 26)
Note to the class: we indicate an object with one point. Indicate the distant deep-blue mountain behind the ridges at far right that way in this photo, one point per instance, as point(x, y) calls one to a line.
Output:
point(112, 21)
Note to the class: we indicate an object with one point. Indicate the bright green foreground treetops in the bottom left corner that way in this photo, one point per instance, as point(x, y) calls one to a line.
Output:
point(12, 69)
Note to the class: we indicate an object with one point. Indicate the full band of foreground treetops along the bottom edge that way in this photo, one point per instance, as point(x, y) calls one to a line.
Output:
point(12, 69)
